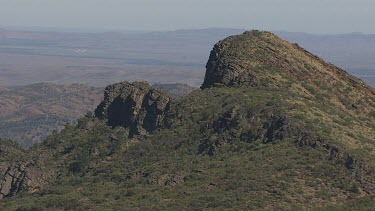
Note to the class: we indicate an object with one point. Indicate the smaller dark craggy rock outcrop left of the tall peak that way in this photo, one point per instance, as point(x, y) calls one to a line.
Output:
point(136, 106)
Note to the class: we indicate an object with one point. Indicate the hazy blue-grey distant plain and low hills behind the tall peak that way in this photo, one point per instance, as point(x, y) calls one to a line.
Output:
point(99, 59)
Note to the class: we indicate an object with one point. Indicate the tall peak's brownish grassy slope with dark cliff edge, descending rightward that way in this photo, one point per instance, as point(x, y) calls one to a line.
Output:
point(261, 59)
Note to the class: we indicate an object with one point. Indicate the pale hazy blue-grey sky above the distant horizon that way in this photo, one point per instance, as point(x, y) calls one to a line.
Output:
point(316, 16)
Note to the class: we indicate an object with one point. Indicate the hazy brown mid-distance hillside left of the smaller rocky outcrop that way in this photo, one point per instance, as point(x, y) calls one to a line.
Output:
point(29, 113)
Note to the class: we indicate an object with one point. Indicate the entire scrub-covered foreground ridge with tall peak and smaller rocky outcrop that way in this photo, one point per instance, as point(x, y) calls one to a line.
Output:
point(273, 127)
